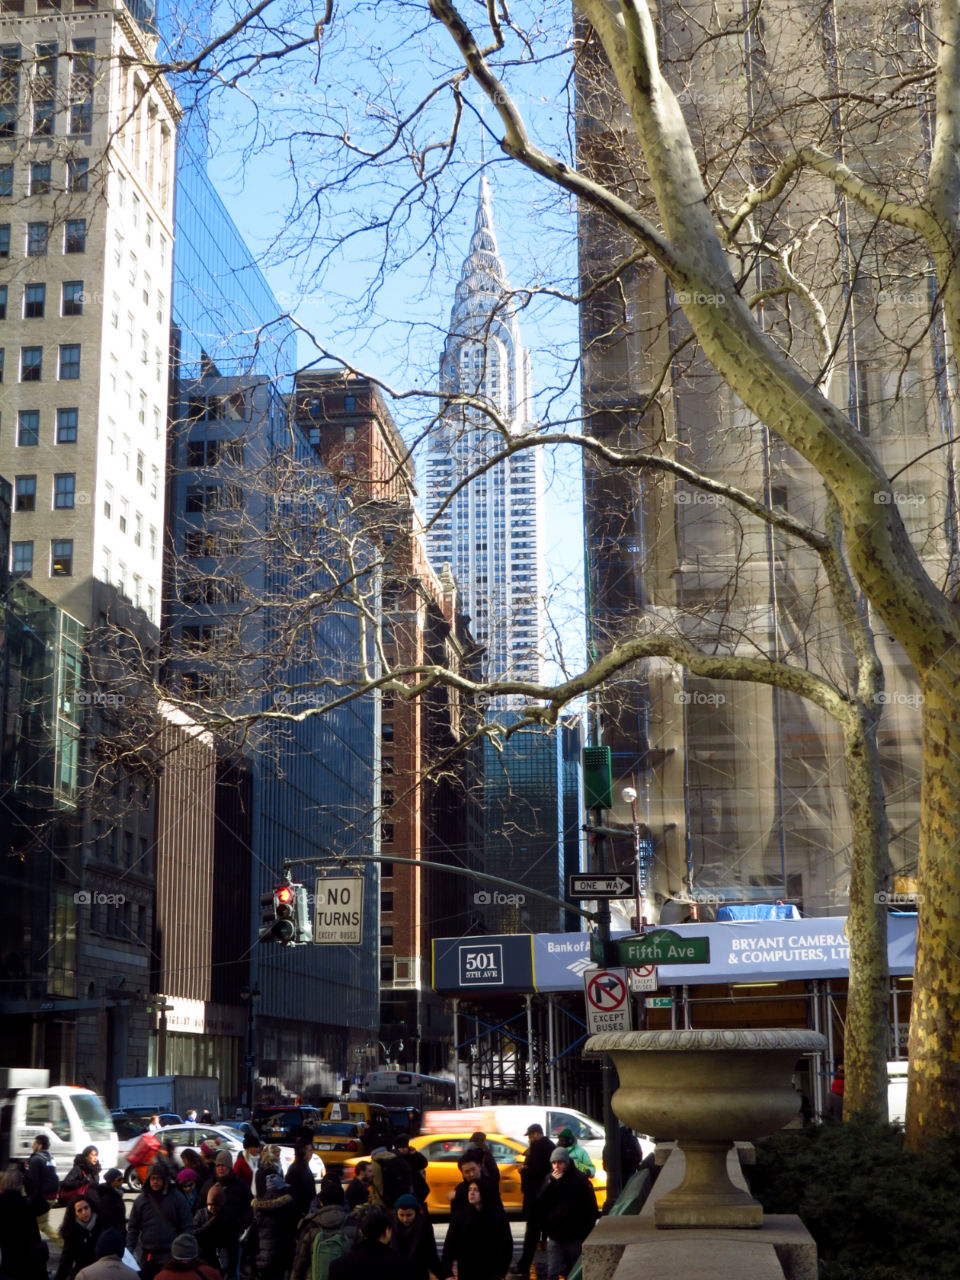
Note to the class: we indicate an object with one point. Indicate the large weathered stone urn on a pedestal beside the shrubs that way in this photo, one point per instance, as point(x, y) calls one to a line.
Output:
point(707, 1090)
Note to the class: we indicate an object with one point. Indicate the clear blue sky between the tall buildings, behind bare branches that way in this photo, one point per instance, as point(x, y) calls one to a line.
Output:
point(312, 213)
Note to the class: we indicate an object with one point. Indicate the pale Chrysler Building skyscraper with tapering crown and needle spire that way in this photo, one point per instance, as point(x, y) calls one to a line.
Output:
point(490, 531)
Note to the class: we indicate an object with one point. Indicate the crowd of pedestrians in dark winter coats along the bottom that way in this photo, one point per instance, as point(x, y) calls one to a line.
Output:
point(202, 1214)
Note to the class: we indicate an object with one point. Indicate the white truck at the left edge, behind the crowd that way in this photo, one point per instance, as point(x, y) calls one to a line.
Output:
point(71, 1118)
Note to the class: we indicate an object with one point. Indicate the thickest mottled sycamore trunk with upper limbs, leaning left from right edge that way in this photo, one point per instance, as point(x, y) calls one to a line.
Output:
point(687, 245)
